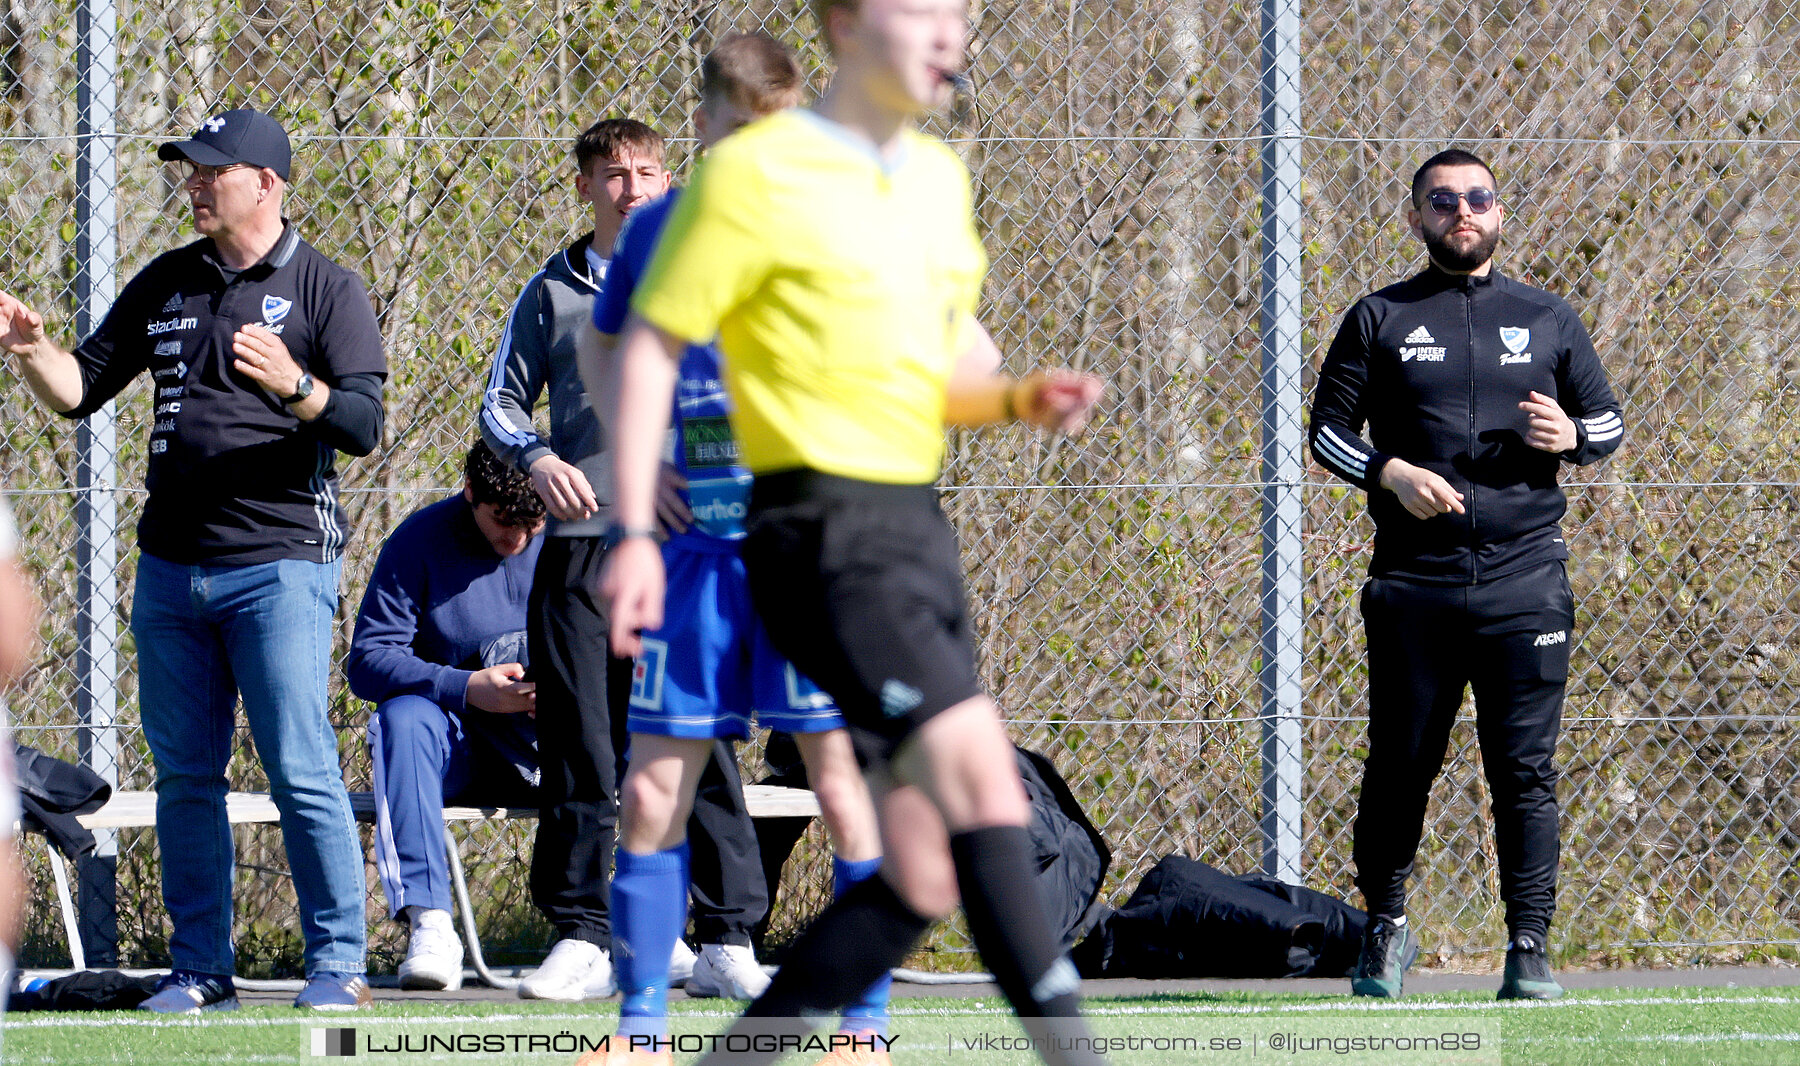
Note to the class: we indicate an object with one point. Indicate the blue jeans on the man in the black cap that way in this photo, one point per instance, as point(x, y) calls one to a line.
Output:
point(204, 637)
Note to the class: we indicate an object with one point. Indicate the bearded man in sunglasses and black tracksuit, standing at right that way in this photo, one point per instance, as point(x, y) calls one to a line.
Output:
point(1475, 390)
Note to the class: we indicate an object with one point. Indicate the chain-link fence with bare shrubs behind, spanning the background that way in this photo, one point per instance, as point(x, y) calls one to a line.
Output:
point(1117, 577)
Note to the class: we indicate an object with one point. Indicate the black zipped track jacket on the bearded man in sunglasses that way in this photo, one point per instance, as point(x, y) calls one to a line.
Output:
point(1437, 368)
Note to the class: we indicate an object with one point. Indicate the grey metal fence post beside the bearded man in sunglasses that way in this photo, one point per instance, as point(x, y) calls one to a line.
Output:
point(1282, 610)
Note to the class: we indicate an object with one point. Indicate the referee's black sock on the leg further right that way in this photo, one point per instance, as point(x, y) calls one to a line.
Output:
point(1012, 934)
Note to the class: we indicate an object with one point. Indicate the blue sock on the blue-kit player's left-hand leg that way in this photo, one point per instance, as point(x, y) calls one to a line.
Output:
point(649, 912)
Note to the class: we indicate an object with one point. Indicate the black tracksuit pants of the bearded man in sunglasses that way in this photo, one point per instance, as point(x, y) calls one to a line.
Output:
point(1509, 640)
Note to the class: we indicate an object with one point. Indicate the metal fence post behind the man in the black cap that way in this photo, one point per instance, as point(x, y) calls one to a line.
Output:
point(96, 473)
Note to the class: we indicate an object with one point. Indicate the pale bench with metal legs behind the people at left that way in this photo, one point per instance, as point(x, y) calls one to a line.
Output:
point(139, 811)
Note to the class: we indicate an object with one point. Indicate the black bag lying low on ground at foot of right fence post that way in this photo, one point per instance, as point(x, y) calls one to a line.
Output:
point(1192, 921)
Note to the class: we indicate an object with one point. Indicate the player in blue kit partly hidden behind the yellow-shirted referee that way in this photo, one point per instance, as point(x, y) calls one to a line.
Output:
point(710, 667)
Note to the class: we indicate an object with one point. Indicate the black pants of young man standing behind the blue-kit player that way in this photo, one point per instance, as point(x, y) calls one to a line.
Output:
point(582, 745)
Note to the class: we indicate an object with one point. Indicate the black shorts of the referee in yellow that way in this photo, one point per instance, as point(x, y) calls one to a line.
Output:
point(861, 588)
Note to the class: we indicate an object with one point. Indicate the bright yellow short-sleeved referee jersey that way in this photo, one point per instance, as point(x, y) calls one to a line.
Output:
point(841, 293)
